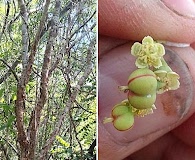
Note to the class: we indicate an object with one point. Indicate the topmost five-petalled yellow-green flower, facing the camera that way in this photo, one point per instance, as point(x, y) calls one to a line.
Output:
point(148, 54)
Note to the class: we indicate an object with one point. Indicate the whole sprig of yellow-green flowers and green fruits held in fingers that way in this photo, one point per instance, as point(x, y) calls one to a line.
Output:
point(152, 77)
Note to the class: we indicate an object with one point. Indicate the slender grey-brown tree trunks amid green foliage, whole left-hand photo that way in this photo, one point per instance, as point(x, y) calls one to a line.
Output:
point(47, 79)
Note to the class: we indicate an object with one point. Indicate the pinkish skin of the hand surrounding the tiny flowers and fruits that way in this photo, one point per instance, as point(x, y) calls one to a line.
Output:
point(167, 134)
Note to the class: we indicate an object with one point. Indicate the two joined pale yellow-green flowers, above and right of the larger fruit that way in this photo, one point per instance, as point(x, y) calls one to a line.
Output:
point(150, 54)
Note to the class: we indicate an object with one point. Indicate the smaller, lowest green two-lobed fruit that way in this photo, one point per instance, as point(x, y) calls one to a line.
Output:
point(123, 117)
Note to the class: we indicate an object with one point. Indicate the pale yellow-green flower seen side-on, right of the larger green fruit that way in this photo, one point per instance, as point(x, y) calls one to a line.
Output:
point(167, 81)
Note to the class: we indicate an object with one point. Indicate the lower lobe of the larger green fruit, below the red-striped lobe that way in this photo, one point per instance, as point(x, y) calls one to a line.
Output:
point(141, 102)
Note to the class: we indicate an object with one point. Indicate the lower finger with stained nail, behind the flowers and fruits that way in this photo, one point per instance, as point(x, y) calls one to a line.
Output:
point(173, 107)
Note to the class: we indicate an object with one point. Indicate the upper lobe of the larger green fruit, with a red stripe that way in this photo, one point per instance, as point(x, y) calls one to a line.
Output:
point(142, 82)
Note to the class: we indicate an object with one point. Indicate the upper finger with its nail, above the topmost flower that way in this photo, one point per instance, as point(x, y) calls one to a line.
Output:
point(169, 20)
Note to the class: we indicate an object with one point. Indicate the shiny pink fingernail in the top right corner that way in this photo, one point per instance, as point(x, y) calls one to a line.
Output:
point(181, 7)
